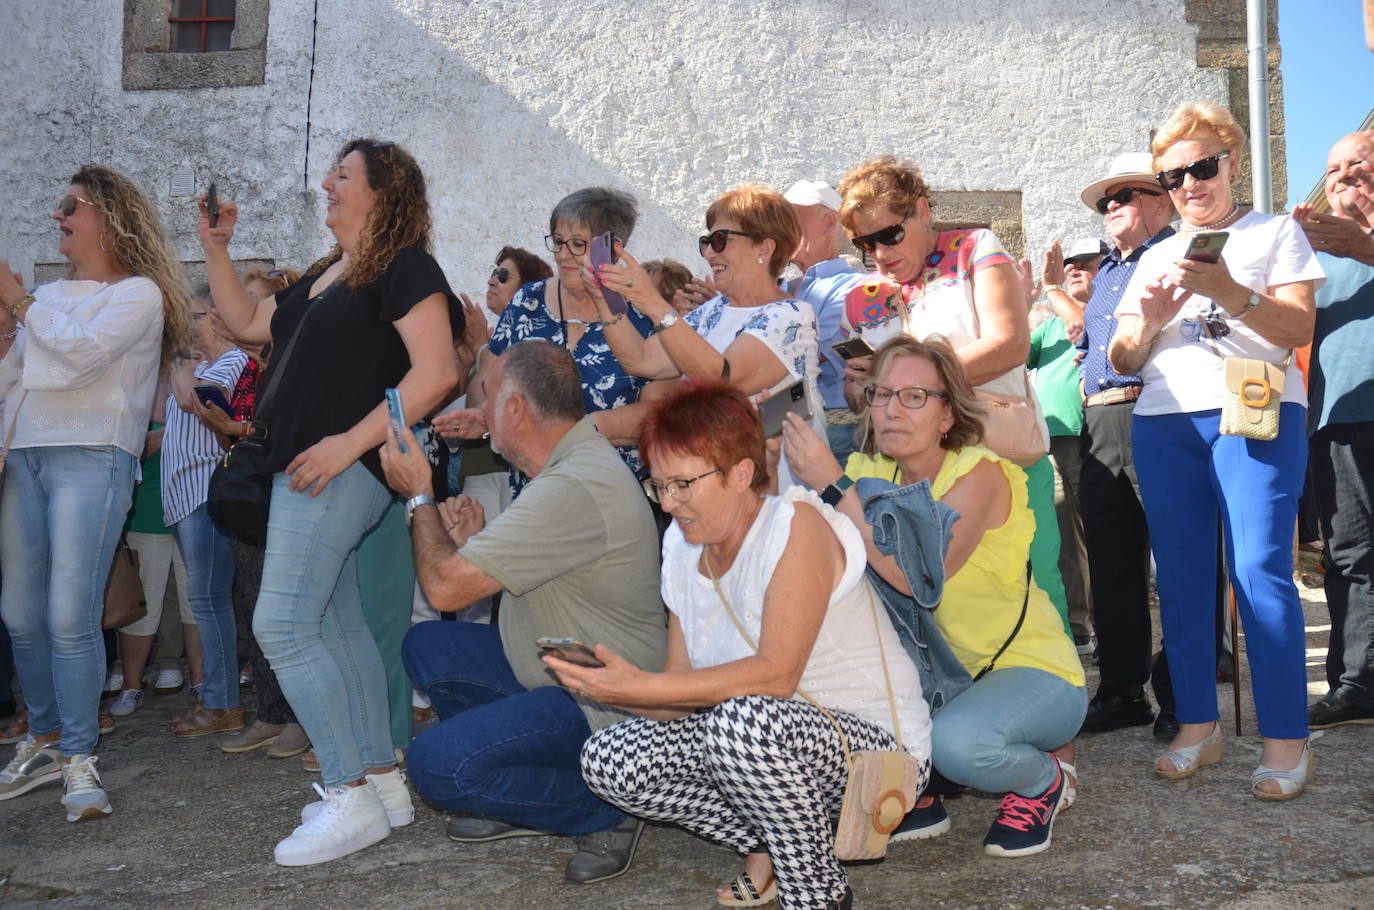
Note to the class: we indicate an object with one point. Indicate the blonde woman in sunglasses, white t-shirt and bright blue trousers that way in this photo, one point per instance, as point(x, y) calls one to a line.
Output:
point(1180, 322)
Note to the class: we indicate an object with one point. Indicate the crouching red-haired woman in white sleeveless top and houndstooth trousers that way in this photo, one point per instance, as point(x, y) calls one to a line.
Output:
point(770, 617)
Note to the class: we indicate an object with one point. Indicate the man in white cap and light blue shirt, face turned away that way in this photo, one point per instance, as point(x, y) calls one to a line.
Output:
point(826, 277)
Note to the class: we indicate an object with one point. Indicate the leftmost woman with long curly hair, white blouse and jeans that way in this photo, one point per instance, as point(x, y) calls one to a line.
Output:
point(79, 365)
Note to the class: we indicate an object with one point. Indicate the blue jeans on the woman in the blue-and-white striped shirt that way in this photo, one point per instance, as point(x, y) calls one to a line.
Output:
point(210, 581)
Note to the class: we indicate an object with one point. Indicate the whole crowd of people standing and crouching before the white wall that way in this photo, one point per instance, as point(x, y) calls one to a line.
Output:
point(675, 600)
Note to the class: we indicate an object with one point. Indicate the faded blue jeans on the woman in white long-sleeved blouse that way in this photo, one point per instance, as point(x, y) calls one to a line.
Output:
point(60, 519)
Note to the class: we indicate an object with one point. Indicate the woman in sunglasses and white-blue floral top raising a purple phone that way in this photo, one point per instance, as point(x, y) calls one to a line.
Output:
point(752, 335)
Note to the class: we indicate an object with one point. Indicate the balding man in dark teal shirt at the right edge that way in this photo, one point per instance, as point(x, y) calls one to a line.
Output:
point(1342, 420)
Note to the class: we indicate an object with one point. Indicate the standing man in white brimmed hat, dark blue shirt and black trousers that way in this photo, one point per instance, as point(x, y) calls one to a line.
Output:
point(1137, 217)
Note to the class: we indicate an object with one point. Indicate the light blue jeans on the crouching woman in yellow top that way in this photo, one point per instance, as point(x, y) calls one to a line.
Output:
point(997, 736)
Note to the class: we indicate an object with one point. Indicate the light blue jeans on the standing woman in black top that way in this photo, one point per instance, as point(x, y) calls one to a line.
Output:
point(310, 622)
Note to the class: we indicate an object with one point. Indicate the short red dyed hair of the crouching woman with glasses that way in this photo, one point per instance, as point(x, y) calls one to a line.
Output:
point(707, 420)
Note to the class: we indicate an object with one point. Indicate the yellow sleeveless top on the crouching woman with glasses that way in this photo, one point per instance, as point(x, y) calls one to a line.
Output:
point(983, 600)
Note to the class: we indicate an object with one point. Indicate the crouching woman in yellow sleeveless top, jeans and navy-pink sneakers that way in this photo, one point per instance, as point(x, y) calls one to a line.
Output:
point(998, 735)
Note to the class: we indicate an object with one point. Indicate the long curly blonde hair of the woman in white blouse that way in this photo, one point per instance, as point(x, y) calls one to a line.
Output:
point(139, 245)
